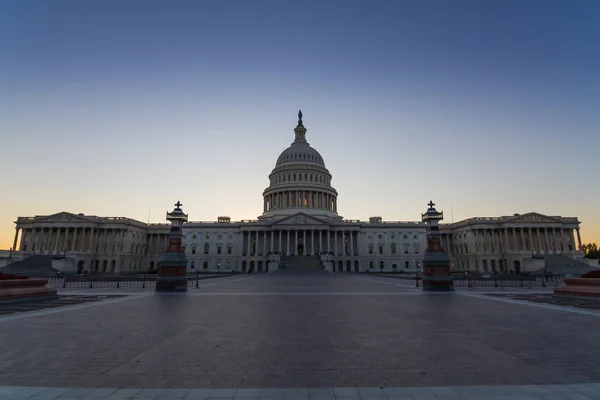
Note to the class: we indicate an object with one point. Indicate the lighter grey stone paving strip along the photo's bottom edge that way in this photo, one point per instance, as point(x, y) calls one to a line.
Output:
point(586, 391)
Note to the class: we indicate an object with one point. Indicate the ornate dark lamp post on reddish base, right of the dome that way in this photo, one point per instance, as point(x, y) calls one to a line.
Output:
point(436, 263)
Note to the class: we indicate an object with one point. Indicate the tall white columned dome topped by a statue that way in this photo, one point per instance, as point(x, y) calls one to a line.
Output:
point(300, 182)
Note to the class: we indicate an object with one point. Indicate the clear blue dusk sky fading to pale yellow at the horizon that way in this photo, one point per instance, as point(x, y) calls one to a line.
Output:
point(121, 108)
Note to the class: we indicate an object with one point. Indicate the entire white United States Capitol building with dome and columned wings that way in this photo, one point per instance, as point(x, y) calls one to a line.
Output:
point(300, 225)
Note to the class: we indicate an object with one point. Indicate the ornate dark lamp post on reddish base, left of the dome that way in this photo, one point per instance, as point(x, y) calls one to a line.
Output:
point(172, 266)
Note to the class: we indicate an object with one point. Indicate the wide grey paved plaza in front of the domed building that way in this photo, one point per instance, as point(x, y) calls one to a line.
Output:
point(300, 337)
